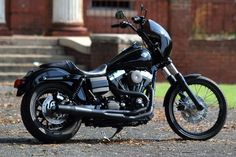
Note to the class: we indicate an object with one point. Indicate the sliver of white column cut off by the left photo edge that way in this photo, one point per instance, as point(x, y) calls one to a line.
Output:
point(3, 22)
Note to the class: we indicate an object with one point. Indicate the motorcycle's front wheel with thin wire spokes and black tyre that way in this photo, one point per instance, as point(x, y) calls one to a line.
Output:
point(190, 123)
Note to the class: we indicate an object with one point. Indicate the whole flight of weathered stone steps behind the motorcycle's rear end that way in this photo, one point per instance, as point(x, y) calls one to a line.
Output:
point(19, 54)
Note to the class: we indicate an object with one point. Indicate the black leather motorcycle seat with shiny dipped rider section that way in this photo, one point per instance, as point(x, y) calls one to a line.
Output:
point(73, 69)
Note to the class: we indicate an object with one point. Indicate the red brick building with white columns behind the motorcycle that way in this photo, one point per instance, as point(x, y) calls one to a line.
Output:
point(204, 32)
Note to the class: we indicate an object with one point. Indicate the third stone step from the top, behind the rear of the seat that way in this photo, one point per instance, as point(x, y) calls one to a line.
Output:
point(31, 58)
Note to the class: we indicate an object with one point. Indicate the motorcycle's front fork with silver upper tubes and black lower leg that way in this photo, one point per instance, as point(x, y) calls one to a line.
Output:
point(174, 76)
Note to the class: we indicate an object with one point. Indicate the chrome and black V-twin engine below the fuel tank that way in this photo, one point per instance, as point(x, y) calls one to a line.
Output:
point(132, 81)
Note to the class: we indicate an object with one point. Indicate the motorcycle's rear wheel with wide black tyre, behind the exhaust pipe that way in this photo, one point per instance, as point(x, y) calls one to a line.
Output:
point(46, 126)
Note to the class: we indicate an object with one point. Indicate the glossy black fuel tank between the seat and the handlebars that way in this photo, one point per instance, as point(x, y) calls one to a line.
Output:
point(134, 57)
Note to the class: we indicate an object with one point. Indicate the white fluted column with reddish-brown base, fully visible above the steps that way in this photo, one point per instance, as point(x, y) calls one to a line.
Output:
point(67, 18)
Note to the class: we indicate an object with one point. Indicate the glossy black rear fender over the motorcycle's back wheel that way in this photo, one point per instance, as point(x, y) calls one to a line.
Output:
point(38, 76)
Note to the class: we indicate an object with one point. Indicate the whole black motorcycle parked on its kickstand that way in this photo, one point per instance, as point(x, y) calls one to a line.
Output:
point(59, 97)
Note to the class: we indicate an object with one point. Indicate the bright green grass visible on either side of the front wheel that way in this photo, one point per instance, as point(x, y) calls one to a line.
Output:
point(229, 91)
